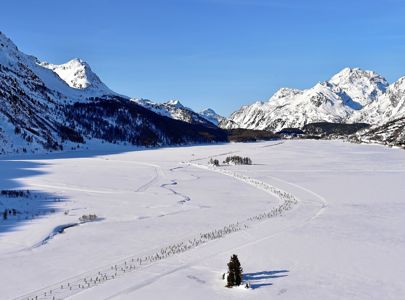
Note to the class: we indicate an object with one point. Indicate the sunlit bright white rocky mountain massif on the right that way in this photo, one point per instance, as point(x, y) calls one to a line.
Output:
point(352, 95)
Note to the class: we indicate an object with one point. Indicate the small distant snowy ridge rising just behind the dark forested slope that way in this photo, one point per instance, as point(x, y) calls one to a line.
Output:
point(175, 110)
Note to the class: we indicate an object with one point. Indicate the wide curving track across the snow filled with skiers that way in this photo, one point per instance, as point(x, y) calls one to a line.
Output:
point(74, 285)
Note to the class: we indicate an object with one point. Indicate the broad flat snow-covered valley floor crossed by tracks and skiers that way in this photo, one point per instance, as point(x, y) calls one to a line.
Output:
point(308, 220)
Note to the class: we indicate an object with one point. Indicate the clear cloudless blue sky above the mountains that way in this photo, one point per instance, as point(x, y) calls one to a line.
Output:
point(212, 53)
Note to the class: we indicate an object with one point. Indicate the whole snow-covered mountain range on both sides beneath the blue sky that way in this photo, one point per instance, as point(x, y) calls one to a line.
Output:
point(44, 106)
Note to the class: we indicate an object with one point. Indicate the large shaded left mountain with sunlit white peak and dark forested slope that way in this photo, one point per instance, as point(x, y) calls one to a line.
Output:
point(49, 107)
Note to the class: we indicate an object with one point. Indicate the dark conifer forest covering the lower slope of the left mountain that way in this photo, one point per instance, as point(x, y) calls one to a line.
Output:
point(119, 120)
